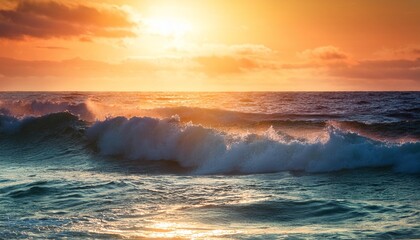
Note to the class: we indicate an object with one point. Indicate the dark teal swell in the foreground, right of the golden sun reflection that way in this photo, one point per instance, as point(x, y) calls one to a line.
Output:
point(285, 211)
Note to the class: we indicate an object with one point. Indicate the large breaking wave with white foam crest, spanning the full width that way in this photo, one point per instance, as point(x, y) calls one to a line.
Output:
point(207, 150)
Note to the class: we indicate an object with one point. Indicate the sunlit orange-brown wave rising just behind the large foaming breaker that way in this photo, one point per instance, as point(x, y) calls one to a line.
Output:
point(396, 131)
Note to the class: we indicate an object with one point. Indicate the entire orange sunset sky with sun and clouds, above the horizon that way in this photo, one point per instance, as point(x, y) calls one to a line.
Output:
point(209, 45)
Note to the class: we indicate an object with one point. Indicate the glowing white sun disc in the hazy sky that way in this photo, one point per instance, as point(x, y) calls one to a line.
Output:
point(168, 27)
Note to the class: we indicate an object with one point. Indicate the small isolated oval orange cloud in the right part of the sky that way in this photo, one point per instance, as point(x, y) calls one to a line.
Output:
point(325, 53)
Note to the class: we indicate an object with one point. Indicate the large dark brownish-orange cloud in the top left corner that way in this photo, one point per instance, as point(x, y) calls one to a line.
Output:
point(47, 19)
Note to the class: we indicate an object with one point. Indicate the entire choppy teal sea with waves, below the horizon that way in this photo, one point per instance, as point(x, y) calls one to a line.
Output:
point(210, 165)
